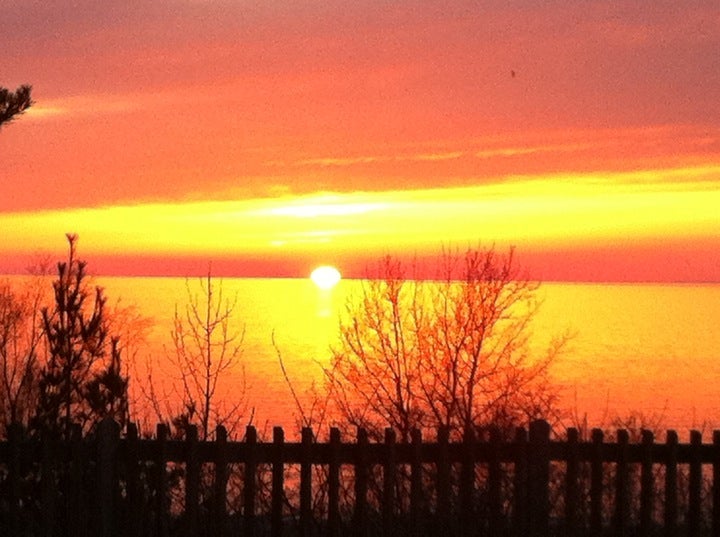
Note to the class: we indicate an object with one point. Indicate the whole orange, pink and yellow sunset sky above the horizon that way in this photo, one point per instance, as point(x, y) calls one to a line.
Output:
point(267, 137)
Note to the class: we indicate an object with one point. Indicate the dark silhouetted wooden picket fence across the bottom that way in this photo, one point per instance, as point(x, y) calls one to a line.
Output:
point(109, 485)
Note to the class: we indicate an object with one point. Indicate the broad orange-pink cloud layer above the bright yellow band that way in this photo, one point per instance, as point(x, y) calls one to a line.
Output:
point(163, 100)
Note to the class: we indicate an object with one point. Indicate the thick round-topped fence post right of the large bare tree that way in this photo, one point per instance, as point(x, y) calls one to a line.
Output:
point(539, 475)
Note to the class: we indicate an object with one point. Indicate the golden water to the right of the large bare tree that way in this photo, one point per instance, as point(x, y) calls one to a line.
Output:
point(653, 349)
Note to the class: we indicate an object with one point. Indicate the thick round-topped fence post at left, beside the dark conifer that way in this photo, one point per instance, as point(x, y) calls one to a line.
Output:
point(108, 432)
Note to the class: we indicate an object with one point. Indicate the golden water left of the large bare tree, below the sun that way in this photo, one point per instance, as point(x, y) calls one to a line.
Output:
point(288, 319)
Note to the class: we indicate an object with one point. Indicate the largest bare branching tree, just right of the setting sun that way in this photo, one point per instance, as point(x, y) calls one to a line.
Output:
point(451, 352)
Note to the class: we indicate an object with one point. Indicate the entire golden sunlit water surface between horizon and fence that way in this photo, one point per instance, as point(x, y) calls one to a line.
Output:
point(644, 348)
